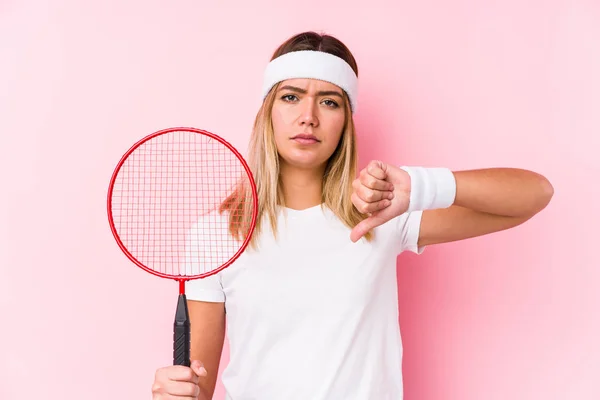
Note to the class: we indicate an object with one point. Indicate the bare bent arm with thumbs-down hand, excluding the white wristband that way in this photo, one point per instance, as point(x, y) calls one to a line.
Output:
point(487, 200)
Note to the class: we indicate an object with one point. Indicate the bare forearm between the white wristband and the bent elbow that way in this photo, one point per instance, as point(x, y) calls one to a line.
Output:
point(508, 192)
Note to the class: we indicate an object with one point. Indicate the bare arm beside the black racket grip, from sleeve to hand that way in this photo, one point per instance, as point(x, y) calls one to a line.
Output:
point(207, 336)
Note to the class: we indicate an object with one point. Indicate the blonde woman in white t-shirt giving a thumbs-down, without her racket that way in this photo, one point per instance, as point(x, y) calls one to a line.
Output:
point(311, 307)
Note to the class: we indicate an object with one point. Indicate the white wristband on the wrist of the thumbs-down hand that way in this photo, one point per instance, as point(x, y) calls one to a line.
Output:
point(430, 188)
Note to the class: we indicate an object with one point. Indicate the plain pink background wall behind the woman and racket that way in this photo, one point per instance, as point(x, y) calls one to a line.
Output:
point(461, 84)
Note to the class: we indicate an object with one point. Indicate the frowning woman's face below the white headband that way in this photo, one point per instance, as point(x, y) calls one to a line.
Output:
point(308, 118)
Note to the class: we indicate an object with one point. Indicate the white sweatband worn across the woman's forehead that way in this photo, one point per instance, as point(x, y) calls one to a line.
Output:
point(312, 64)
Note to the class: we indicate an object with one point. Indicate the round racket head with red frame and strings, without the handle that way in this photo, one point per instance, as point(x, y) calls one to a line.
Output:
point(144, 173)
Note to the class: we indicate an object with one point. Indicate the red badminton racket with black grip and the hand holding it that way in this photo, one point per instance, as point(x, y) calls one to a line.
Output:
point(182, 204)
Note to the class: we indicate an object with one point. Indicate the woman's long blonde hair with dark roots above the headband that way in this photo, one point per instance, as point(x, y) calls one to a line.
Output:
point(263, 161)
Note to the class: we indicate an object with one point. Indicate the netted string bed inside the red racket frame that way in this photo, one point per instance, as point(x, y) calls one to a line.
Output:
point(166, 198)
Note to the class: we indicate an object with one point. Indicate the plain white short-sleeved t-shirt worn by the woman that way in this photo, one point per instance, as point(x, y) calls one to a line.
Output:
point(313, 316)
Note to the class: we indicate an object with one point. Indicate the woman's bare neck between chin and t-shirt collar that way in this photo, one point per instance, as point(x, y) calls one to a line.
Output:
point(302, 188)
